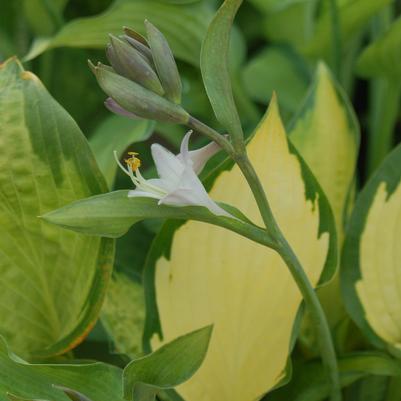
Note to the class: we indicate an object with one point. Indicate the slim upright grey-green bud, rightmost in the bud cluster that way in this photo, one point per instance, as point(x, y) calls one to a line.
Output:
point(165, 63)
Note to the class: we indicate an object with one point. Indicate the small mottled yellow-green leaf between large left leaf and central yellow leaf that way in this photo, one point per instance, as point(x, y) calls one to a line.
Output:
point(123, 315)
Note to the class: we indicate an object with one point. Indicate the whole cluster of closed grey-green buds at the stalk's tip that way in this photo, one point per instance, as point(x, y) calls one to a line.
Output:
point(143, 80)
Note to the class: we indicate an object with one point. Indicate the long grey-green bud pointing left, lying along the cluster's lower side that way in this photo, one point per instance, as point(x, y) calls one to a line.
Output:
point(136, 99)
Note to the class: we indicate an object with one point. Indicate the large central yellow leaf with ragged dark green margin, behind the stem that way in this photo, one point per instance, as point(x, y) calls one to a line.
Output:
point(209, 275)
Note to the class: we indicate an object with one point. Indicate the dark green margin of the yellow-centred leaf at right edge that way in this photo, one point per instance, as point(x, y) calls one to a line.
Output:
point(390, 173)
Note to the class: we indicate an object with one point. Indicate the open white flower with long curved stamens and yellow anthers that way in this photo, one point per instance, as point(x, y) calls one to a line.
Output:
point(178, 183)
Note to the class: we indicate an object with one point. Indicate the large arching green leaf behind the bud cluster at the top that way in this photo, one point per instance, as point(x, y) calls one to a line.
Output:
point(183, 25)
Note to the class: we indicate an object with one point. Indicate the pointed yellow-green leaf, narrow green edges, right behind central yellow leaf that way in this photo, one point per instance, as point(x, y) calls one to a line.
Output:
point(326, 134)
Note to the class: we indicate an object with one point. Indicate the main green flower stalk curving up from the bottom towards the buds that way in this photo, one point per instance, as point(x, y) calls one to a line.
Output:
point(284, 249)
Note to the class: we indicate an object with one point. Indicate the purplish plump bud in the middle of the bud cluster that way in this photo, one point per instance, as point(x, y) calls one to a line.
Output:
point(131, 63)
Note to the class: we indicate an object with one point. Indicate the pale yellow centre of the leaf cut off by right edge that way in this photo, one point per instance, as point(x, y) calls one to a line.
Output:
point(379, 287)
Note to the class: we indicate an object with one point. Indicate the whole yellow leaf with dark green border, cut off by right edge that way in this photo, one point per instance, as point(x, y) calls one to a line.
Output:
point(370, 264)
